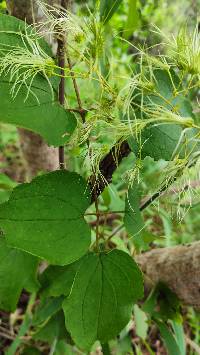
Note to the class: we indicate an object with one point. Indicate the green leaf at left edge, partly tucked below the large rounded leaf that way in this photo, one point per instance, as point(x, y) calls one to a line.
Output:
point(16, 267)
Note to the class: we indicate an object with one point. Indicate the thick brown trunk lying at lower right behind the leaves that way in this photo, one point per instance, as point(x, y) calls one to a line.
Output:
point(178, 267)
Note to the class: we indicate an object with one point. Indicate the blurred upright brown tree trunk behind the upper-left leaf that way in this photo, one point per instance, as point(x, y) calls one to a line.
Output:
point(38, 156)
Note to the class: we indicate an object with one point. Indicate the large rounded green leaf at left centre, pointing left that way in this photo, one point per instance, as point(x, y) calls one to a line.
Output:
point(46, 217)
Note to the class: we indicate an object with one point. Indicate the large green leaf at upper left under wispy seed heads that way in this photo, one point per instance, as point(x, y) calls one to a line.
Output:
point(38, 117)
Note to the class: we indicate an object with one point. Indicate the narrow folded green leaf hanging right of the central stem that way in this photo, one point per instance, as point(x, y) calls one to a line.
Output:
point(133, 220)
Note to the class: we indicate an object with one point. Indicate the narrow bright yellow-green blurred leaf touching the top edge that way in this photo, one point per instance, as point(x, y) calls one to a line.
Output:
point(132, 20)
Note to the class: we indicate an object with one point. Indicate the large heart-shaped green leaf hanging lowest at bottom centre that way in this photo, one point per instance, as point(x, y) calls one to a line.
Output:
point(100, 302)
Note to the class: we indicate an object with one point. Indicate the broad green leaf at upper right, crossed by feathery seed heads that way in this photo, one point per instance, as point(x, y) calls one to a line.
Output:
point(160, 141)
